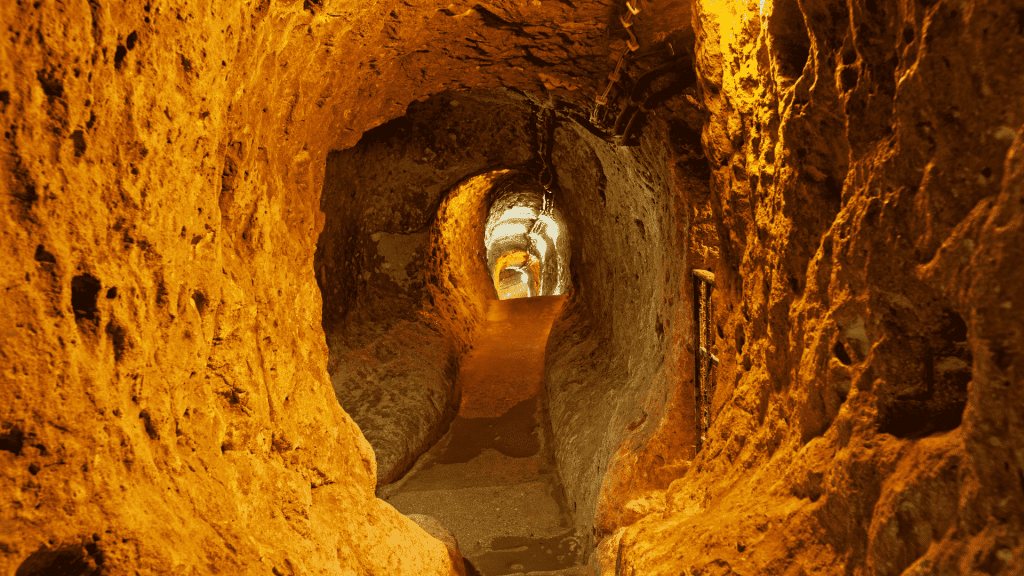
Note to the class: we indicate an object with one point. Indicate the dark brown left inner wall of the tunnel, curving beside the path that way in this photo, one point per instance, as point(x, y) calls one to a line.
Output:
point(404, 286)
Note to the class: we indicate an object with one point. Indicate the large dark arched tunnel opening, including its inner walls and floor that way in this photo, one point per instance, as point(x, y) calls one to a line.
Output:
point(463, 301)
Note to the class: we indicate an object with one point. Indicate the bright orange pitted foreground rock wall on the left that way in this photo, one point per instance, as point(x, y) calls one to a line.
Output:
point(166, 404)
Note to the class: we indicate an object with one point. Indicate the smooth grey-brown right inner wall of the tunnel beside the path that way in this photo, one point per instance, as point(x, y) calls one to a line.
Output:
point(619, 388)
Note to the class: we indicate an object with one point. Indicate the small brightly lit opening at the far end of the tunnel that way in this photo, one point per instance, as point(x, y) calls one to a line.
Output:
point(526, 243)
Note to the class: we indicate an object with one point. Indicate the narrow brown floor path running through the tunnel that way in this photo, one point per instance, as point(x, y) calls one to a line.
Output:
point(491, 480)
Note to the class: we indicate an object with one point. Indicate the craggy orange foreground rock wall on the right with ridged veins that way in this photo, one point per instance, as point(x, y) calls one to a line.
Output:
point(866, 184)
